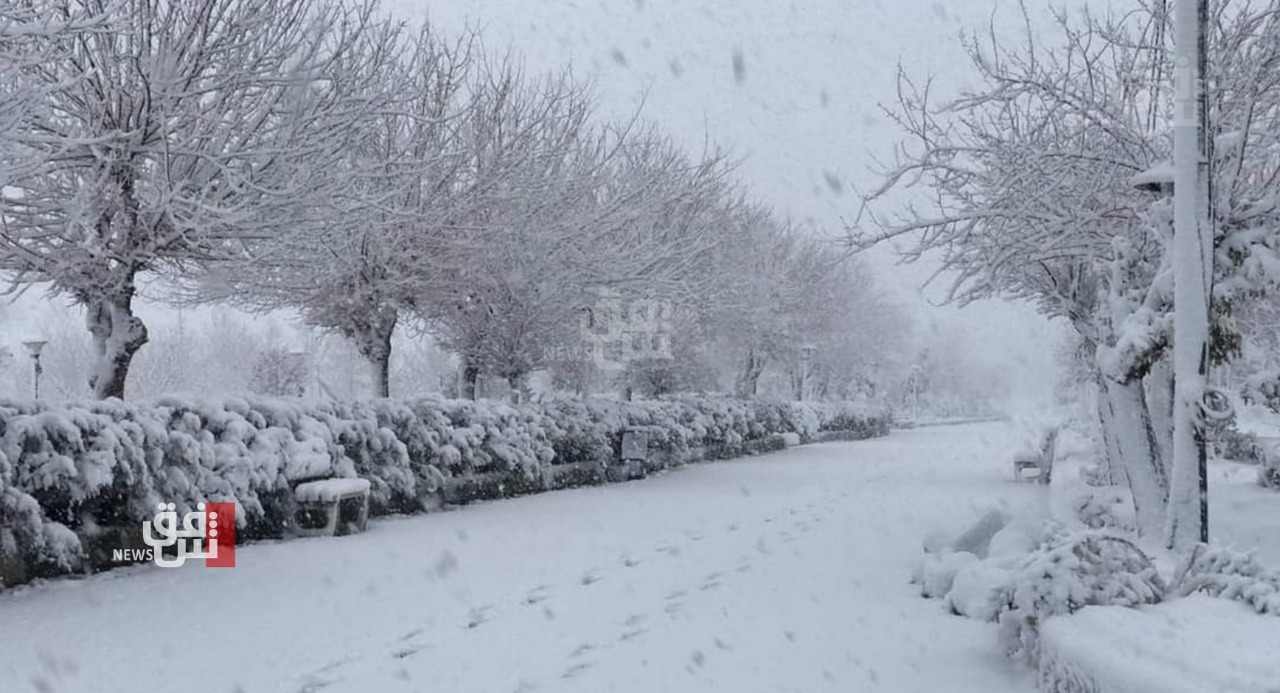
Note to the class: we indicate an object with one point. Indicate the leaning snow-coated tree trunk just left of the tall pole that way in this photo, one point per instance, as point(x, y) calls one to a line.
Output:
point(1137, 454)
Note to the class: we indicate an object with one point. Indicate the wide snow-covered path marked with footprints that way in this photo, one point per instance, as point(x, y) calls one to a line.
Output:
point(787, 572)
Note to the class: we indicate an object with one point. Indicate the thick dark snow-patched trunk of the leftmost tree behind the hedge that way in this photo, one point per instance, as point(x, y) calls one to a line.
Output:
point(118, 335)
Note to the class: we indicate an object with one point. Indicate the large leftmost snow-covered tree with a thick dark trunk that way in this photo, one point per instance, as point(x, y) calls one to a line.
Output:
point(170, 139)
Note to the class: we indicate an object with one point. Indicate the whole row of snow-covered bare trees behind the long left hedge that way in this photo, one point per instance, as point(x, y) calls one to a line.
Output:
point(319, 157)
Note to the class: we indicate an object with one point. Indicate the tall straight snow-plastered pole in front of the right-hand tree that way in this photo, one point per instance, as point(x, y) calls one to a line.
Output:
point(1194, 235)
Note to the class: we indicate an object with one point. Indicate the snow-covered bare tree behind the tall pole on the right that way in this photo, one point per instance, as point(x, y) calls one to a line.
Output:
point(1032, 185)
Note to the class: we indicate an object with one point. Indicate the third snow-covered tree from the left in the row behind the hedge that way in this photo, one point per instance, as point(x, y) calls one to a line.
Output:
point(561, 209)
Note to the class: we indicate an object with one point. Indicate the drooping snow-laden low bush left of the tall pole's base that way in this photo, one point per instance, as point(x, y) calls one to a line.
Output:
point(1069, 572)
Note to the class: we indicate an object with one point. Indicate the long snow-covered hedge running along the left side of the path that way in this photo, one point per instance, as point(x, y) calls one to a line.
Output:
point(77, 476)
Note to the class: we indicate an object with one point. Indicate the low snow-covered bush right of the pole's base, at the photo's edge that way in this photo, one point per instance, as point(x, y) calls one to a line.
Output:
point(1229, 576)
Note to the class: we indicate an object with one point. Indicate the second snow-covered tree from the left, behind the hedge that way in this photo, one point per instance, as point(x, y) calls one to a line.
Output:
point(359, 270)
